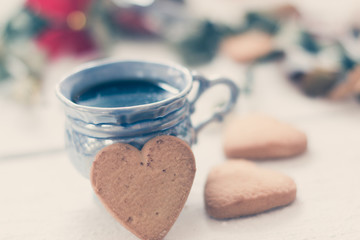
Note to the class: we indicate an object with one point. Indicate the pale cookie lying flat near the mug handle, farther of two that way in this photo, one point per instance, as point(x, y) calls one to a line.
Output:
point(261, 137)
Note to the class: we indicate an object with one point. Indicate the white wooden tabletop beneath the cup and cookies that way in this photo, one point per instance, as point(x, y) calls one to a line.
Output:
point(43, 197)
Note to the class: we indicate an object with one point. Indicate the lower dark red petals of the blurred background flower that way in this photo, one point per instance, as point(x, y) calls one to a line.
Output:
point(58, 42)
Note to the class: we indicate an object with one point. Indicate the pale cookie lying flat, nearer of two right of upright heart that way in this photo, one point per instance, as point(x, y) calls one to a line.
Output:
point(239, 188)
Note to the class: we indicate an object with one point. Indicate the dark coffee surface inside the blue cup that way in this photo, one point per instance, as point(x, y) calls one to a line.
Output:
point(124, 93)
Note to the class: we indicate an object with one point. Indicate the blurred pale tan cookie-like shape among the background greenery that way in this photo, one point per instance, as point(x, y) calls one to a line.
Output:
point(247, 46)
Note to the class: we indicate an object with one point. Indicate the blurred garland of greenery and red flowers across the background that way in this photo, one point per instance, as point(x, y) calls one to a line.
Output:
point(44, 30)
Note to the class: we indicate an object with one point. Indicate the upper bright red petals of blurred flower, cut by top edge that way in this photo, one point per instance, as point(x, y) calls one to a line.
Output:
point(57, 9)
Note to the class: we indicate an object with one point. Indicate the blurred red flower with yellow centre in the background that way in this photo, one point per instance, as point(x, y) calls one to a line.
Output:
point(66, 31)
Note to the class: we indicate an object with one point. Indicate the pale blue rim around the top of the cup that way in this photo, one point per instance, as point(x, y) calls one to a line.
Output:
point(103, 62)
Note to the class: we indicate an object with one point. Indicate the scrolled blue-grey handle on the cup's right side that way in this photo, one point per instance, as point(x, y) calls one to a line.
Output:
point(205, 84)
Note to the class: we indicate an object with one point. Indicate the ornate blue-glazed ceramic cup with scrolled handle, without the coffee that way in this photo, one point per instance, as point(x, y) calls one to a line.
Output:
point(89, 129)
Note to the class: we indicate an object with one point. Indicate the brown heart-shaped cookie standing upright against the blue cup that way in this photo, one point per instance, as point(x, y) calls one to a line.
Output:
point(145, 191)
